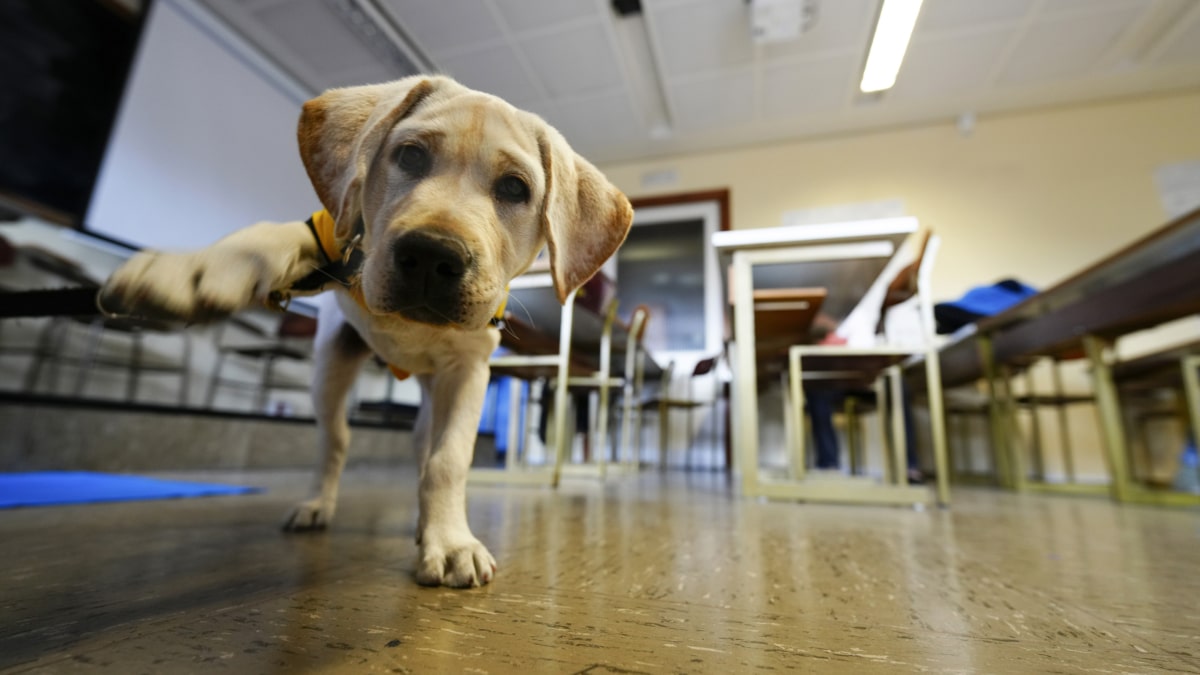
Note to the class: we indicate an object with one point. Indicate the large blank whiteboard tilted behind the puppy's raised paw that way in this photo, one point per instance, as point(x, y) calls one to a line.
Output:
point(205, 144)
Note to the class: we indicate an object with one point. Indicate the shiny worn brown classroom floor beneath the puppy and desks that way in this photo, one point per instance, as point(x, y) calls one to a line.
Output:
point(645, 575)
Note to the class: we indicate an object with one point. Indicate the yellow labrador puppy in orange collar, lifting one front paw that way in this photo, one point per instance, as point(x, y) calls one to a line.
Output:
point(436, 196)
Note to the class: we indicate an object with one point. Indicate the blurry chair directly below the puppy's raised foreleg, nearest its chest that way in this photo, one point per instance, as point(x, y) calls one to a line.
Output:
point(290, 342)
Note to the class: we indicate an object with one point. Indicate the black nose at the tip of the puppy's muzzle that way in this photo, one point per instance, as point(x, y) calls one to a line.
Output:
point(430, 274)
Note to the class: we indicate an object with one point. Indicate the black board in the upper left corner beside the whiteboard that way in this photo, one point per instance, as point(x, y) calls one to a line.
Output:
point(63, 70)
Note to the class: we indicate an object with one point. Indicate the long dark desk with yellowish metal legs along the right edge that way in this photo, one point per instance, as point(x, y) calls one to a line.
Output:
point(1149, 283)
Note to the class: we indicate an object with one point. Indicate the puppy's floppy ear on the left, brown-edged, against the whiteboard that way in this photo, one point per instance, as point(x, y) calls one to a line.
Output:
point(340, 134)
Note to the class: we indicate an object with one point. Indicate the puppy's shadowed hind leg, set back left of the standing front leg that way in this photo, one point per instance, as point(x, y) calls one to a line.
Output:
point(339, 355)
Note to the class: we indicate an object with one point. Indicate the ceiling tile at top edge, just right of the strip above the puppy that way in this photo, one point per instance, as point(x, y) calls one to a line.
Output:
point(446, 27)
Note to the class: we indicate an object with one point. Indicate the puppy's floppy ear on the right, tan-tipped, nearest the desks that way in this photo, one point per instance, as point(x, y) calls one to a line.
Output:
point(585, 218)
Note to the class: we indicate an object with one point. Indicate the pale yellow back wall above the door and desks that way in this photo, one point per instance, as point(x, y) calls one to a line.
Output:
point(1035, 196)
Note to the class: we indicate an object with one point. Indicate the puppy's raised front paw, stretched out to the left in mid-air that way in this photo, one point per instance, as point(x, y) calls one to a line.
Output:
point(201, 286)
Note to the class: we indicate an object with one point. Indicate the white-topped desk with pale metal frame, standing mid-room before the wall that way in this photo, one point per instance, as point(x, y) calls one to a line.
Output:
point(860, 246)
